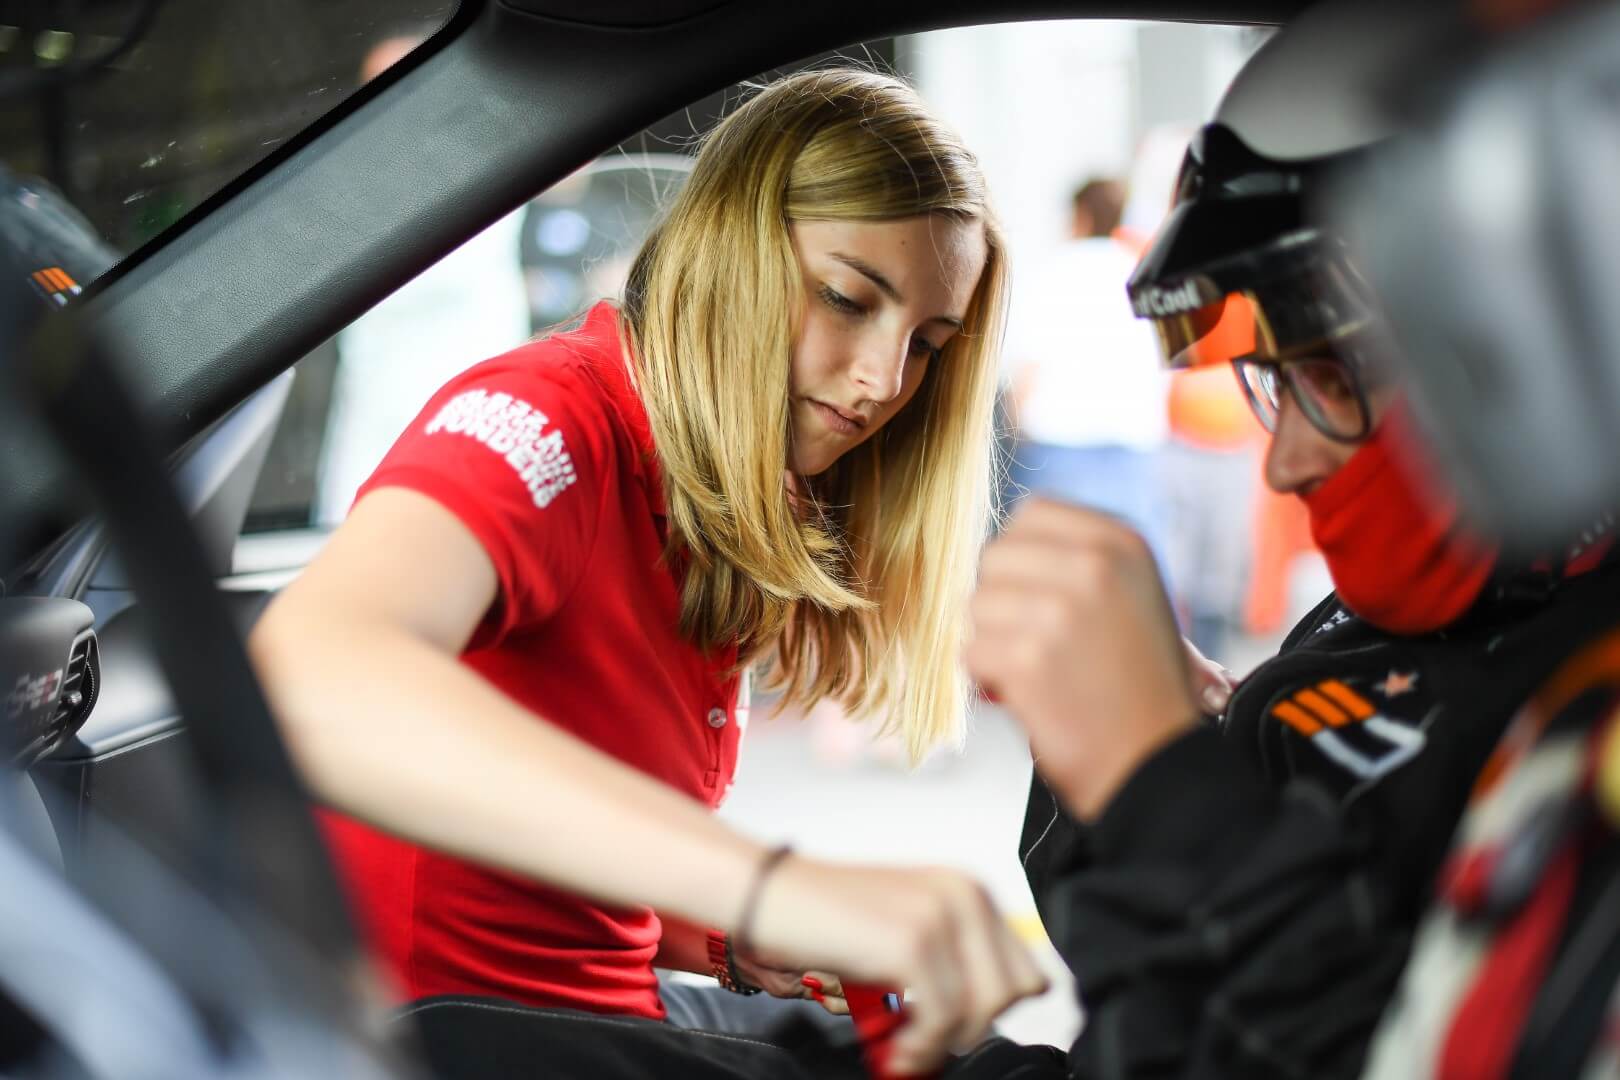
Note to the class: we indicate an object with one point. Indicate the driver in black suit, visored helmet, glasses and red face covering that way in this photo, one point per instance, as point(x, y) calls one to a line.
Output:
point(1240, 898)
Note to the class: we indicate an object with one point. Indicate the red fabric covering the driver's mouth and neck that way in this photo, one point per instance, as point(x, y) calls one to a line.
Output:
point(1392, 537)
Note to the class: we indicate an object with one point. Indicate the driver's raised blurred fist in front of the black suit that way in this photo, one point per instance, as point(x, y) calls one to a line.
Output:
point(1073, 634)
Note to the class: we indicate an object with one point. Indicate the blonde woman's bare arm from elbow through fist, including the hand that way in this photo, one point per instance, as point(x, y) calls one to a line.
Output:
point(394, 729)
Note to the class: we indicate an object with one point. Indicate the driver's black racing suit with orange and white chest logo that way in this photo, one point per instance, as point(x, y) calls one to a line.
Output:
point(1245, 904)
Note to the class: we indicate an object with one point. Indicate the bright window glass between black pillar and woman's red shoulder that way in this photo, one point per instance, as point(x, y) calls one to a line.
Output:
point(529, 271)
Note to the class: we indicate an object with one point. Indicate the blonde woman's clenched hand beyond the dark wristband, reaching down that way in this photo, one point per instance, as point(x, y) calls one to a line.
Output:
point(932, 932)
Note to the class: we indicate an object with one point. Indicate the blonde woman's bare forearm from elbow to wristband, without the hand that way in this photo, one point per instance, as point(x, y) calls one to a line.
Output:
point(394, 731)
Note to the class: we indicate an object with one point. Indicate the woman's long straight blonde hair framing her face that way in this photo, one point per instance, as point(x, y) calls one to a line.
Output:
point(864, 597)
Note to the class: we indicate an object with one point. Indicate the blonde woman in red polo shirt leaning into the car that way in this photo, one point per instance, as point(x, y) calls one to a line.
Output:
point(524, 648)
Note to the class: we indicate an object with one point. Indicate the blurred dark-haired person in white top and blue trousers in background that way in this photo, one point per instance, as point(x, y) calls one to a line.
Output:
point(1086, 393)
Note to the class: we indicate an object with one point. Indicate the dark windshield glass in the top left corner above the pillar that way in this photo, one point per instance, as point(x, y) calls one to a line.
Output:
point(127, 114)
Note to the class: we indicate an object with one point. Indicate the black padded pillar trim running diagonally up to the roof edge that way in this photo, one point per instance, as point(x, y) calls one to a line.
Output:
point(396, 179)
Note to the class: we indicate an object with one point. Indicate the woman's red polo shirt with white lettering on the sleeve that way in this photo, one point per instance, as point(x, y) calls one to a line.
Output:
point(547, 456)
